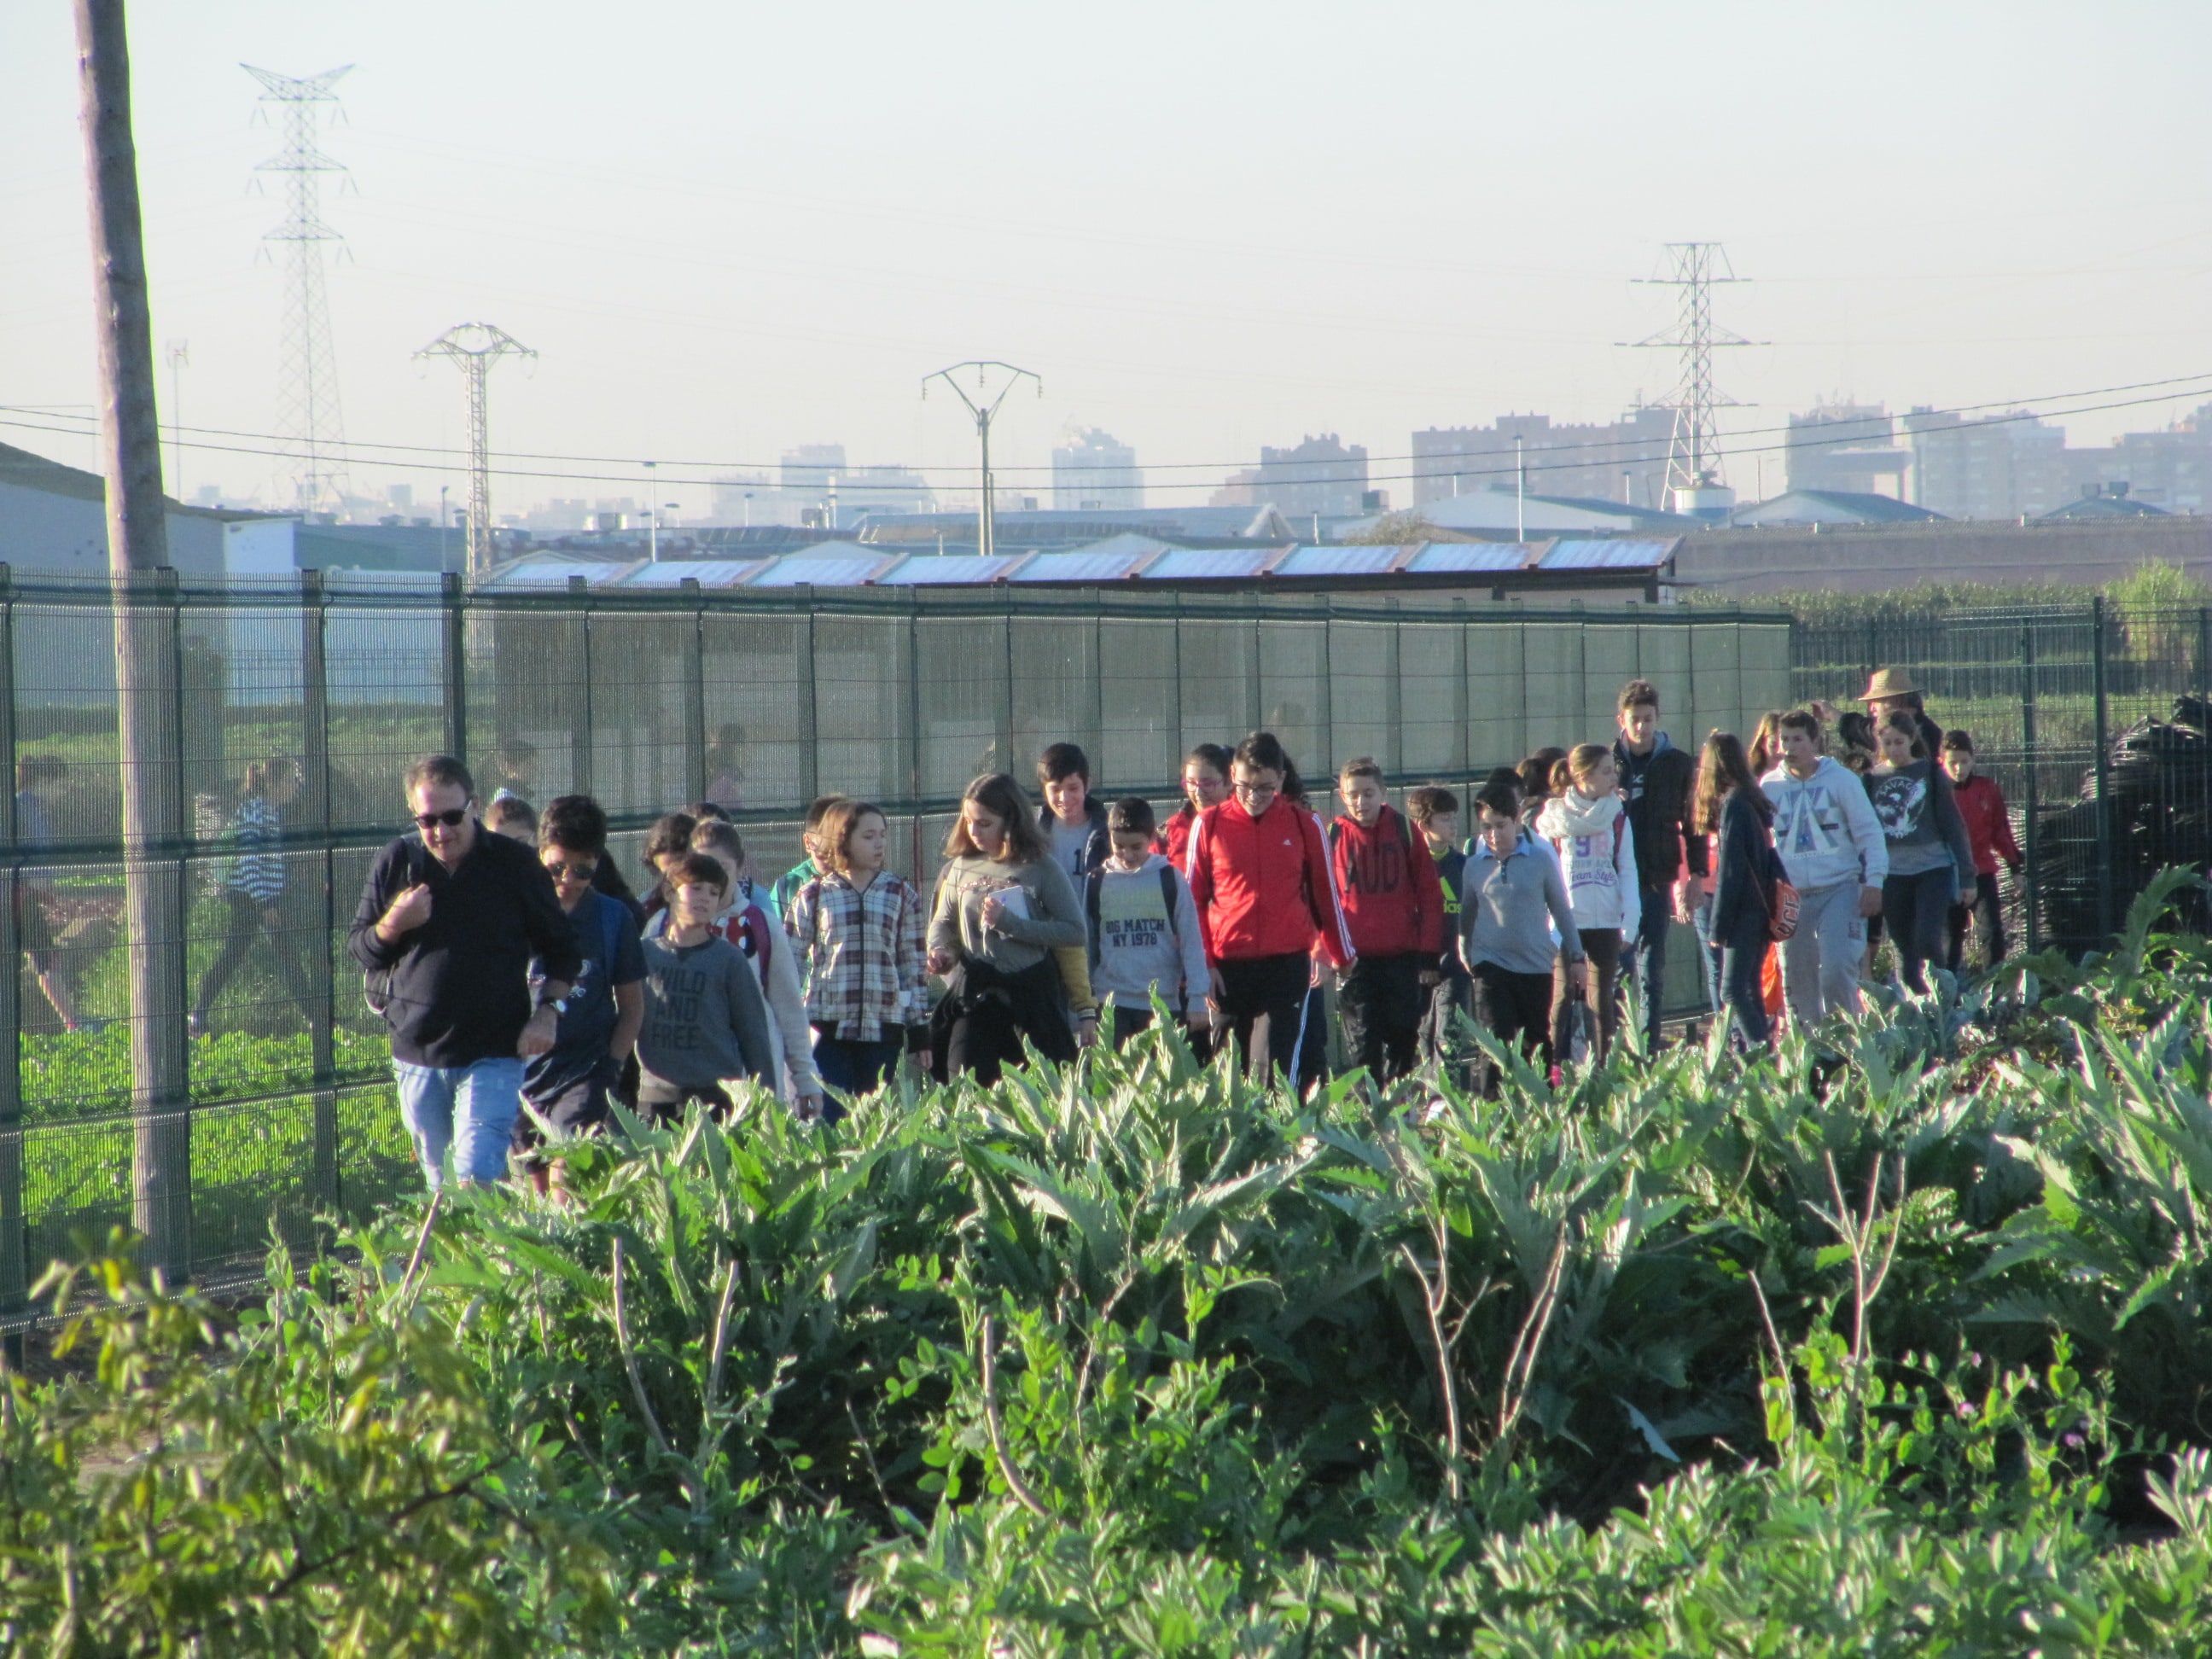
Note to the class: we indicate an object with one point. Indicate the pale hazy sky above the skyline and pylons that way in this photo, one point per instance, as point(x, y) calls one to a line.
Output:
point(1207, 227)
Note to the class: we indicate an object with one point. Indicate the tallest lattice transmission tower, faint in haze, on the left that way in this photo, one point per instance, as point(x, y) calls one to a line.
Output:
point(309, 410)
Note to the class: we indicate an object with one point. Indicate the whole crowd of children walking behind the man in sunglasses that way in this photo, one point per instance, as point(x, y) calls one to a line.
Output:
point(1072, 921)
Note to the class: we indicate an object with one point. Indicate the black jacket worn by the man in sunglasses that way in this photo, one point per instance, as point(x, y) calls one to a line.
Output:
point(459, 985)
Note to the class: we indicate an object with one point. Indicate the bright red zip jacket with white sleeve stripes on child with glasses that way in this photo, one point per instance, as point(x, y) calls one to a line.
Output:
point(1264, 884)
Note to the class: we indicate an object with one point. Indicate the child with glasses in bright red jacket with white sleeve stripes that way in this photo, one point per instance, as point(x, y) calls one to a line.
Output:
point(1260, 875)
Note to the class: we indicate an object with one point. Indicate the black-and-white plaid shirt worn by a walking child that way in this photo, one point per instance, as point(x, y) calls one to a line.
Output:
point(862, 954)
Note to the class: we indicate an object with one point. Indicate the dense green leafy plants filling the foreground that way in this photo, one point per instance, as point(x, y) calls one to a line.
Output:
point(1895, 1346)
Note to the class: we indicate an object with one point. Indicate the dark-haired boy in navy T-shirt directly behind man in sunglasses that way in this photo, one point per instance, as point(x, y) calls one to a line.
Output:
point(596, 1025)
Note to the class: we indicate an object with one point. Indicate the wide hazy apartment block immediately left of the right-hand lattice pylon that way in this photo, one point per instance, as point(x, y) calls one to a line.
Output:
point(1620, 461)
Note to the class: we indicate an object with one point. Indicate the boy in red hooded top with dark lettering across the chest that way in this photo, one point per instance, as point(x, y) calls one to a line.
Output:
point(1395, 910)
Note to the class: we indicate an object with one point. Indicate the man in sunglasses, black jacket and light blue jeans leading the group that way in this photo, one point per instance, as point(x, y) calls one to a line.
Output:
point(450, 921)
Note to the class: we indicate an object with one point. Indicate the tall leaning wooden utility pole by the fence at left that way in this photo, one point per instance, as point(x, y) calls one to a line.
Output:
point(147, 693)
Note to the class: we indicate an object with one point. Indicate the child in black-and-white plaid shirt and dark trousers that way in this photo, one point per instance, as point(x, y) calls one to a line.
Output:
point(859, 937)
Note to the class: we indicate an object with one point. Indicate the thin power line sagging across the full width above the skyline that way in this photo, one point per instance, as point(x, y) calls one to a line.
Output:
point(457, 457)
